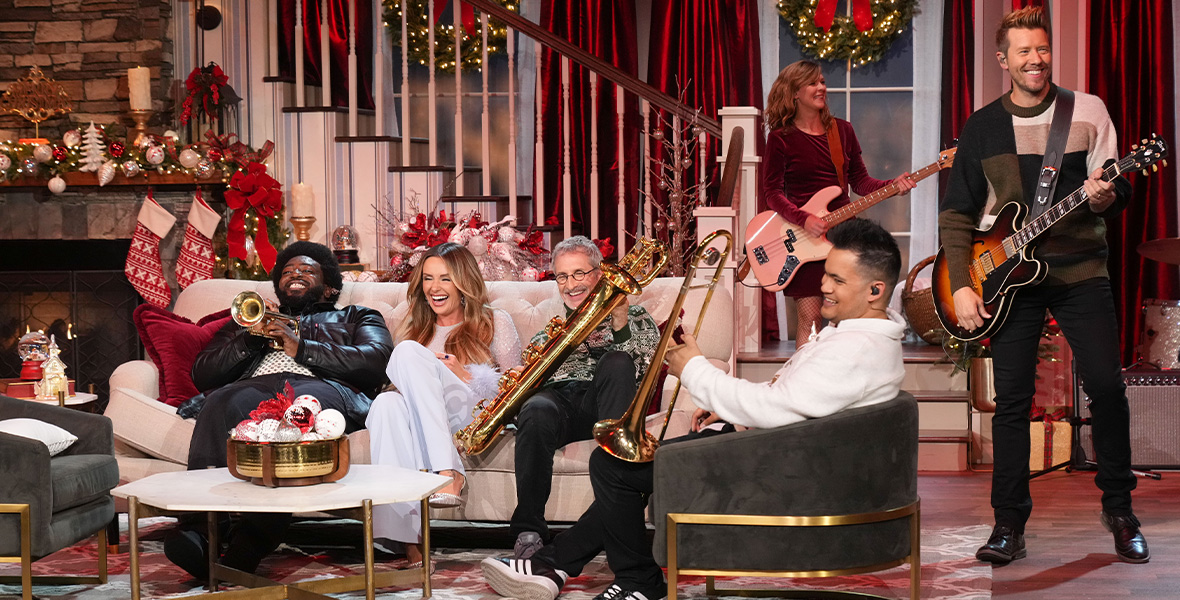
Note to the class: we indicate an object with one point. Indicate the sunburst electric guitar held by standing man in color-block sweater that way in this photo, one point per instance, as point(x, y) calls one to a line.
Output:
point(1002, 257)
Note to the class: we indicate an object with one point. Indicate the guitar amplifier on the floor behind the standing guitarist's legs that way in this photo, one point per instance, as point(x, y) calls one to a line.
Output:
point(1155, 399)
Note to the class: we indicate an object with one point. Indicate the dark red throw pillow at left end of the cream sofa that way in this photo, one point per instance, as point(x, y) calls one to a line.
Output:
point(174, 343)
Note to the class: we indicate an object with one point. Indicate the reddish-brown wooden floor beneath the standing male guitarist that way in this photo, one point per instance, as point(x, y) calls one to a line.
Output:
point(1071, 556)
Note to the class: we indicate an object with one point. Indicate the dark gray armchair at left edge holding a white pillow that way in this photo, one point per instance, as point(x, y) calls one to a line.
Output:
point(48, 504)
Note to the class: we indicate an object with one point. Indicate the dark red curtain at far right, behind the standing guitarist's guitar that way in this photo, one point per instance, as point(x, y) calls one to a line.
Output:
point(1132, 53)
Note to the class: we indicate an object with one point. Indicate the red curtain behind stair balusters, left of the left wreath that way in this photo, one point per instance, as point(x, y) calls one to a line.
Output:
point(338, 45)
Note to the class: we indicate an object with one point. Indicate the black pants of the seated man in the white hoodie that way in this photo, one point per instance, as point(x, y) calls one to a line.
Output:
point(615, 524)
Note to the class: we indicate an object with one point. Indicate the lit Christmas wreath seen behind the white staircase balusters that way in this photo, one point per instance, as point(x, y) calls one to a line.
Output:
point(418, 34)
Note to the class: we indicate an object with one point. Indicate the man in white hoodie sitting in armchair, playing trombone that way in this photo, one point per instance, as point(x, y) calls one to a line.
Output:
point(854, 362)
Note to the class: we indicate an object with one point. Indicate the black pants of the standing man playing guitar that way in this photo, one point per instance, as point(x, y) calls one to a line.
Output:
point(1086, 314)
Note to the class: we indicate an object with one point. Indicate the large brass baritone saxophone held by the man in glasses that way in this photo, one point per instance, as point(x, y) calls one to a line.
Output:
point(633, 272)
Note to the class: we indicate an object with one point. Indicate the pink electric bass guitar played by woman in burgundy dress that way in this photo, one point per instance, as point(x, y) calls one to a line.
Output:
point(777, 249)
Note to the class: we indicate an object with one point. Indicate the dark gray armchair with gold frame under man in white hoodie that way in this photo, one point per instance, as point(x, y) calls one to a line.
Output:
point(831, 497)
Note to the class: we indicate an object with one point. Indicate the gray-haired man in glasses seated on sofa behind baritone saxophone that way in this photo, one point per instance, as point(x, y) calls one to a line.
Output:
point(599, 381)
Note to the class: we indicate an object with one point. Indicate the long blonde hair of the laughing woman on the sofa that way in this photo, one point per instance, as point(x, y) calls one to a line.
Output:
point(473, 340)
